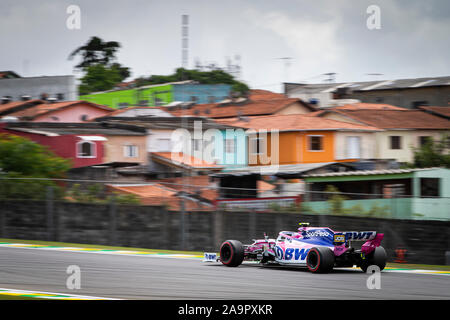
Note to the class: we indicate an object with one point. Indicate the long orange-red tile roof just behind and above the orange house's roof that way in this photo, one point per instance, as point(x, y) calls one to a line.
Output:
point(233, 109)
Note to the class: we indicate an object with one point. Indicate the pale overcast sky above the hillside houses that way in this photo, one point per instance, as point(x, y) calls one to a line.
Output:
point(320, 36)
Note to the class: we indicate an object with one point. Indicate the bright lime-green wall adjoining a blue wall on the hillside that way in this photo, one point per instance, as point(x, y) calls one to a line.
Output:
point(132, 96)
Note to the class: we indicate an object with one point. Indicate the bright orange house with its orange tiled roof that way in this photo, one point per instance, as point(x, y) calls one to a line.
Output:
point(295, 139)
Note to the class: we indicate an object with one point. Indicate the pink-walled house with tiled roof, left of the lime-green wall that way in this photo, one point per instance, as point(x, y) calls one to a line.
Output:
point(66, 111)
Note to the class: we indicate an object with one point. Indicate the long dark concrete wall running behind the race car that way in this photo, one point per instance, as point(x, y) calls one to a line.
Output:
point(155, 227)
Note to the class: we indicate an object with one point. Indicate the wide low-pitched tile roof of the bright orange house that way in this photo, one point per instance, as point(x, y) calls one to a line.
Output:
point(294, 122)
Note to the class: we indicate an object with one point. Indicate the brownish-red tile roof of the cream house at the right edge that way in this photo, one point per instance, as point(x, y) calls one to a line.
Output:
point(396, 119)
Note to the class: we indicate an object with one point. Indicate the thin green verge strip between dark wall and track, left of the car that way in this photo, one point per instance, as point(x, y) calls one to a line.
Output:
point(82, 245)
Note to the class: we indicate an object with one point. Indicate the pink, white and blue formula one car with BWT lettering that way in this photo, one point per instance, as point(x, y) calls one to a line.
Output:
point(320, 249)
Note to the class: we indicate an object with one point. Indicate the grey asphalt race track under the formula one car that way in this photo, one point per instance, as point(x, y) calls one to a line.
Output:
point(130, 277)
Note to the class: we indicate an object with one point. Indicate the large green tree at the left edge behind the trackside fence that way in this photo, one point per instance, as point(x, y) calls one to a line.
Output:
point(22, 158)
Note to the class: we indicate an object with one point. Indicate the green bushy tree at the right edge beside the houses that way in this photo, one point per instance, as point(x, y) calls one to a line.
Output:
point(432, 154)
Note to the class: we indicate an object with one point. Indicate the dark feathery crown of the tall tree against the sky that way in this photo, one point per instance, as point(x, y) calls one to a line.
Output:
point(96, 51)
